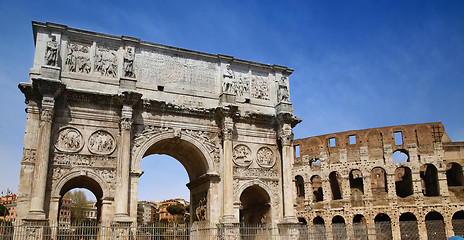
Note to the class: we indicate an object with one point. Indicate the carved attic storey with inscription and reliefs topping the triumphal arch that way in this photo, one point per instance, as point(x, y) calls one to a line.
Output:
point(106, 63)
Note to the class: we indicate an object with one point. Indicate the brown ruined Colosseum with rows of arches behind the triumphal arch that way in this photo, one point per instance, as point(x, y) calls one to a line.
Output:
point(399, 182)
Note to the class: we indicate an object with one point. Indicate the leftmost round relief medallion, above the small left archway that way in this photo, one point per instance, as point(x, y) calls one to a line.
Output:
point(69, 140)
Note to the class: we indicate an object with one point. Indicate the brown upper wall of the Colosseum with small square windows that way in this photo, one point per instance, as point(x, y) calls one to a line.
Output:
point(370, 143)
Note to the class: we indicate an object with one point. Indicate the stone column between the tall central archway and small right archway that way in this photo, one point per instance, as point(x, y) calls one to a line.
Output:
point(228, 174)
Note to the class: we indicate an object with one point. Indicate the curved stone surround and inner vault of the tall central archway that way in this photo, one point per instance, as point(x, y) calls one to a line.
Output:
point(196, 160)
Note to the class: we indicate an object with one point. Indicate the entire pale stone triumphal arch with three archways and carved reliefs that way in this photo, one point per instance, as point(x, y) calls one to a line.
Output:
point(97, 104)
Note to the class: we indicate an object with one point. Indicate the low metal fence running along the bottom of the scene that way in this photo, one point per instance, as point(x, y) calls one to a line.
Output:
point(103, 231)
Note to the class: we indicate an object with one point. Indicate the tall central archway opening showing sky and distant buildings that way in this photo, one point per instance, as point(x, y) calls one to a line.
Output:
point(165, 180)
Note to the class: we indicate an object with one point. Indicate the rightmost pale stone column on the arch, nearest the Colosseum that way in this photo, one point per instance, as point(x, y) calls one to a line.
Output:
point(286, 140)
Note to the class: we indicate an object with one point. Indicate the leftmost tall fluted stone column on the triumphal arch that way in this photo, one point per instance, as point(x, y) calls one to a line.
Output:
point(36, 212)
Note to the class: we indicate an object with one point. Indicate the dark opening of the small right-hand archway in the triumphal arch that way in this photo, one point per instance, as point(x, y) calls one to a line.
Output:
point(255, 206)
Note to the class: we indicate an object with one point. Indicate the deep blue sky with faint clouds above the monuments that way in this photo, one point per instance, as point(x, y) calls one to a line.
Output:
point(358, 64)
